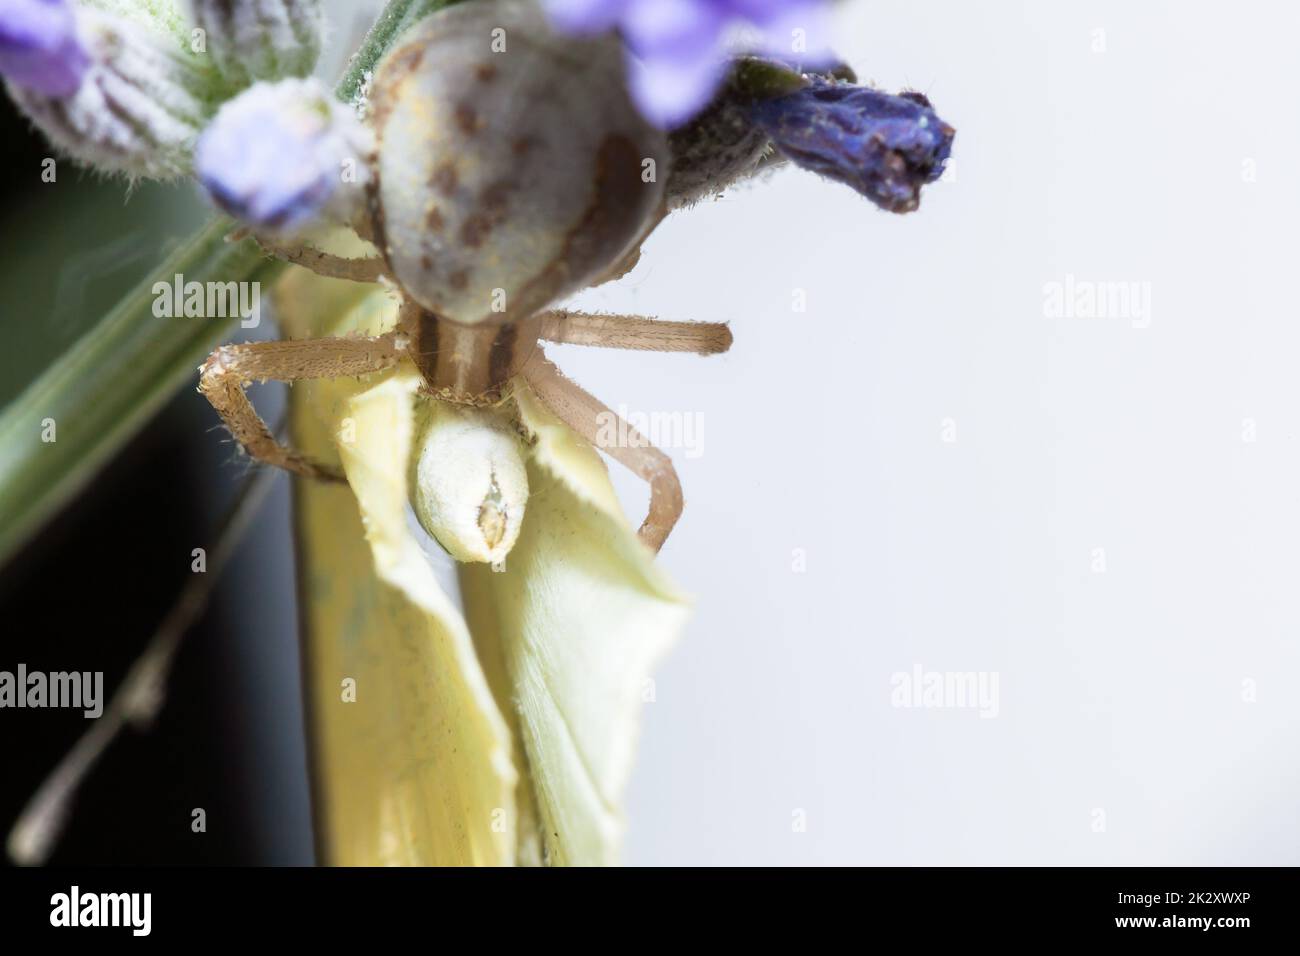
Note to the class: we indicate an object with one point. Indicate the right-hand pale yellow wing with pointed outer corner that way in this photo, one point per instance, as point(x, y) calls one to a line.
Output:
point(582, 616)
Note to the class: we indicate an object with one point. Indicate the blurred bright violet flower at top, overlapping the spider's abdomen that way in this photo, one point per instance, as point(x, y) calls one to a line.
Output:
point(679, 57)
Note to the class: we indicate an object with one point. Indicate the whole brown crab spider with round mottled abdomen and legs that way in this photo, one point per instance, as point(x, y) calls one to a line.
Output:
point(500, 183)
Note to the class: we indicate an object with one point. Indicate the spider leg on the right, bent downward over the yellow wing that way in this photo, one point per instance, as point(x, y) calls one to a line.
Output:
point(584, 414)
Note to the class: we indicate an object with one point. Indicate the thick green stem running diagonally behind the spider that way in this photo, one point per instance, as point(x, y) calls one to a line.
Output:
point(111, 383)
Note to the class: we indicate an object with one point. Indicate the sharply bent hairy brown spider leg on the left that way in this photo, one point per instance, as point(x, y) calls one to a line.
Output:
point(232, 367)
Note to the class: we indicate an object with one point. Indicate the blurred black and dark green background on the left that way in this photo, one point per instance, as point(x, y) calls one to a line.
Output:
point(88, 594)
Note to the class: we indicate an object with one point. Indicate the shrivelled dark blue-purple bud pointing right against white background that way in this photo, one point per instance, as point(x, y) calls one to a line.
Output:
point(886, 148)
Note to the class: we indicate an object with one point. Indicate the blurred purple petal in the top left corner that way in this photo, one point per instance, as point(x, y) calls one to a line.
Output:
point(40, 49)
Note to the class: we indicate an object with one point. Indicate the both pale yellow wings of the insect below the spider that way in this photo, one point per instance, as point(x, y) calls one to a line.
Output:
point(565, 643)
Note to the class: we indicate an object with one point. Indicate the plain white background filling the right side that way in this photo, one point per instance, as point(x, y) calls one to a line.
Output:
point(1123, 695)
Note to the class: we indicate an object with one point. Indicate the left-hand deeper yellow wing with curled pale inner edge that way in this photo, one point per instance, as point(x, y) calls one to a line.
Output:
point(418, 768)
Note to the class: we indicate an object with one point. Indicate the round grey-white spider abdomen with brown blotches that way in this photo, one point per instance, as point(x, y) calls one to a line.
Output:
point(512, 167)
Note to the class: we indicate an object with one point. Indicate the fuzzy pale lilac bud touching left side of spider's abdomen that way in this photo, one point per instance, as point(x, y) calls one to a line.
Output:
point(281, 155)
